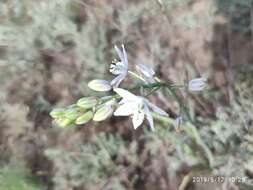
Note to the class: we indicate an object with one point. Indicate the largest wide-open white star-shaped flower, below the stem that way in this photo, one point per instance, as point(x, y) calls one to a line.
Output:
point(138, 107)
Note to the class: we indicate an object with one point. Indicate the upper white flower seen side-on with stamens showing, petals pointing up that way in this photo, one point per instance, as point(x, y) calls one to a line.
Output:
point(120, 68)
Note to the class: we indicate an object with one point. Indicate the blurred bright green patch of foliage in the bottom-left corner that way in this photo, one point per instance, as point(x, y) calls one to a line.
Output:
point(12, 178)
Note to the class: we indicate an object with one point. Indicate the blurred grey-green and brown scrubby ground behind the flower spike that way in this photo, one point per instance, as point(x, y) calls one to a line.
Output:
point(51, 49)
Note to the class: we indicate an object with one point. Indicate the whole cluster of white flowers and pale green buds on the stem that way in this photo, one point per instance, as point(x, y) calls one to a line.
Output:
point(121, 102)
